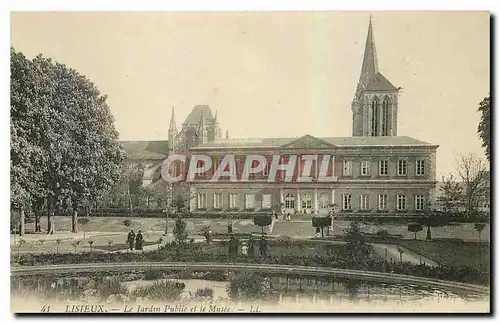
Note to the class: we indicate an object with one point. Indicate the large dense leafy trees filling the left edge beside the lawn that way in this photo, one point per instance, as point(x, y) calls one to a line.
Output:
point(64, 146)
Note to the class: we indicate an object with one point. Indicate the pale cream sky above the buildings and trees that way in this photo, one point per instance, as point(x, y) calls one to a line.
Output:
point(274, 74)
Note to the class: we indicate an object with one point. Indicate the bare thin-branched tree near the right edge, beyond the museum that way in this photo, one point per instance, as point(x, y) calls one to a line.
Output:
point(474, 172)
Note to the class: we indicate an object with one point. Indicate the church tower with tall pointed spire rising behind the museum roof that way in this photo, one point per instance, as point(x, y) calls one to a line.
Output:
point(375, 104)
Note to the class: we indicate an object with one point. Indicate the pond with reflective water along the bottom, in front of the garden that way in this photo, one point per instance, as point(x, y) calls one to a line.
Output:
point(291, 294)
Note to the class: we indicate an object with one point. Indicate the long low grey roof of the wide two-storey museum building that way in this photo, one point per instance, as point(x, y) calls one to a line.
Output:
point(334, 141)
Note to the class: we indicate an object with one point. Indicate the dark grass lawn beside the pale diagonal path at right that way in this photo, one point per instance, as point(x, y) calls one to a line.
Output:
point(451, 253)
